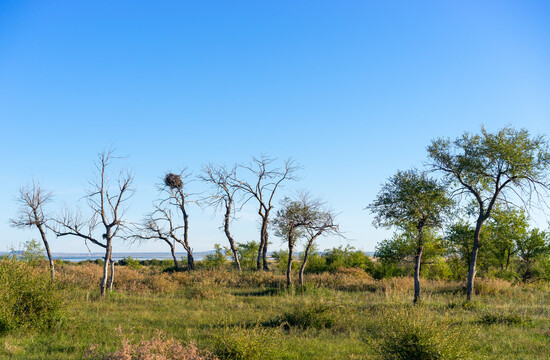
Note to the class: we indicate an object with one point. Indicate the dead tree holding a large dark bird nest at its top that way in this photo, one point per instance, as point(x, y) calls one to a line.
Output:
point(176, 197)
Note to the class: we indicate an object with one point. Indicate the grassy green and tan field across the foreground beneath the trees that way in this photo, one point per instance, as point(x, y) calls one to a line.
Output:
point(340, 315)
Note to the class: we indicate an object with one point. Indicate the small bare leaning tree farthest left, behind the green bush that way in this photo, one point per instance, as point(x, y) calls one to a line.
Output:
point(31, 213)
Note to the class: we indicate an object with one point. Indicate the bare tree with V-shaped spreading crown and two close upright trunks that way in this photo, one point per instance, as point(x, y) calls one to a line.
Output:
point(263, 190)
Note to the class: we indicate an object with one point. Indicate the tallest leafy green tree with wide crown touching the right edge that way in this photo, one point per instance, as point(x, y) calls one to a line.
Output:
point(491, 166)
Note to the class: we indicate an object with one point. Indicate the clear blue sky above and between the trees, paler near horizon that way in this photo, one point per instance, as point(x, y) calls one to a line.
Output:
point(351, 90)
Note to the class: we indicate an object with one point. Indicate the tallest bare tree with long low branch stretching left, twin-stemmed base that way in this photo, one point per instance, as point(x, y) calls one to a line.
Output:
point(107, 213)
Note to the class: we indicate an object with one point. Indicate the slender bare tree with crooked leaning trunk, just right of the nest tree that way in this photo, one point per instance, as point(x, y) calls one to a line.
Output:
point(223, 198)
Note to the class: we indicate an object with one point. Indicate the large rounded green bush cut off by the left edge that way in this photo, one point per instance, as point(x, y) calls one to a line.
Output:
point(27, 297)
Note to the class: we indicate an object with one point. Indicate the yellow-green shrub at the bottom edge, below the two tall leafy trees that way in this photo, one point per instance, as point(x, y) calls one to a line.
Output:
point(414, 334)
